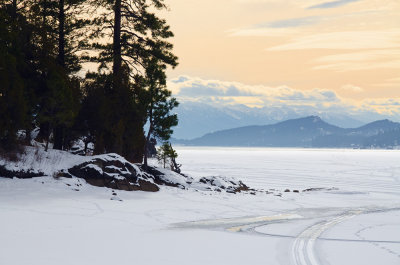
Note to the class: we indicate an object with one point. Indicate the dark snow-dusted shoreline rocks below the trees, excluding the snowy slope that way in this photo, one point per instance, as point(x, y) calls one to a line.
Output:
point(115, 172)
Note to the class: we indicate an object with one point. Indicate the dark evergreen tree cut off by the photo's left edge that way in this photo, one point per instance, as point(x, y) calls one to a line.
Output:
point(13, 97)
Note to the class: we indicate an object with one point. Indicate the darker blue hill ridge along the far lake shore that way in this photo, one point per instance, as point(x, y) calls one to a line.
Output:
point(310, 131)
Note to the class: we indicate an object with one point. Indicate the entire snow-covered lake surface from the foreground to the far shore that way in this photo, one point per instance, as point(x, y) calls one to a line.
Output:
point(66, 221)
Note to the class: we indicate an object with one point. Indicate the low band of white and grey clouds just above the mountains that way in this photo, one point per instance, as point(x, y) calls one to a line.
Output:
point(284, 98)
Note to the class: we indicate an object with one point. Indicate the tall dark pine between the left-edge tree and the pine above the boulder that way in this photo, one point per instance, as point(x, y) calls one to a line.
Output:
point(58, 31)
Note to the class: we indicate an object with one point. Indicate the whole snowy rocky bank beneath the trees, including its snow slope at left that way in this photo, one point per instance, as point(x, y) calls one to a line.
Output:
point(111, 171)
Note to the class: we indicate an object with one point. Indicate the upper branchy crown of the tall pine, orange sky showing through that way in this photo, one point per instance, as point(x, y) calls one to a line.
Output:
point(137, 35)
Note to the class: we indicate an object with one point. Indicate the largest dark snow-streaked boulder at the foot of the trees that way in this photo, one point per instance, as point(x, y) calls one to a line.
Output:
point(112, 171)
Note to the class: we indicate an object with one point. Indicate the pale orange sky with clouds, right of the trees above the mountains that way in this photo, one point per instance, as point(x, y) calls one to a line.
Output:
point(315, 52)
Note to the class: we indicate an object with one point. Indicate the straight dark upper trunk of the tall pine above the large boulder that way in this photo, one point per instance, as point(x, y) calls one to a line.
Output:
point(117, 59)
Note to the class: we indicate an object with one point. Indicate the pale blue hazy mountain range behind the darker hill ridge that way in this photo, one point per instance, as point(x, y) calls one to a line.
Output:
point(198, 118)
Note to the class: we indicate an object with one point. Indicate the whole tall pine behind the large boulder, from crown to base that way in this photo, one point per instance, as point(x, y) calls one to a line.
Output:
point(137, 35)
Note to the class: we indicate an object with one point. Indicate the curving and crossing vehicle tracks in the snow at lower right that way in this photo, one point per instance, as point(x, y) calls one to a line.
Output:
point(302, 251)
